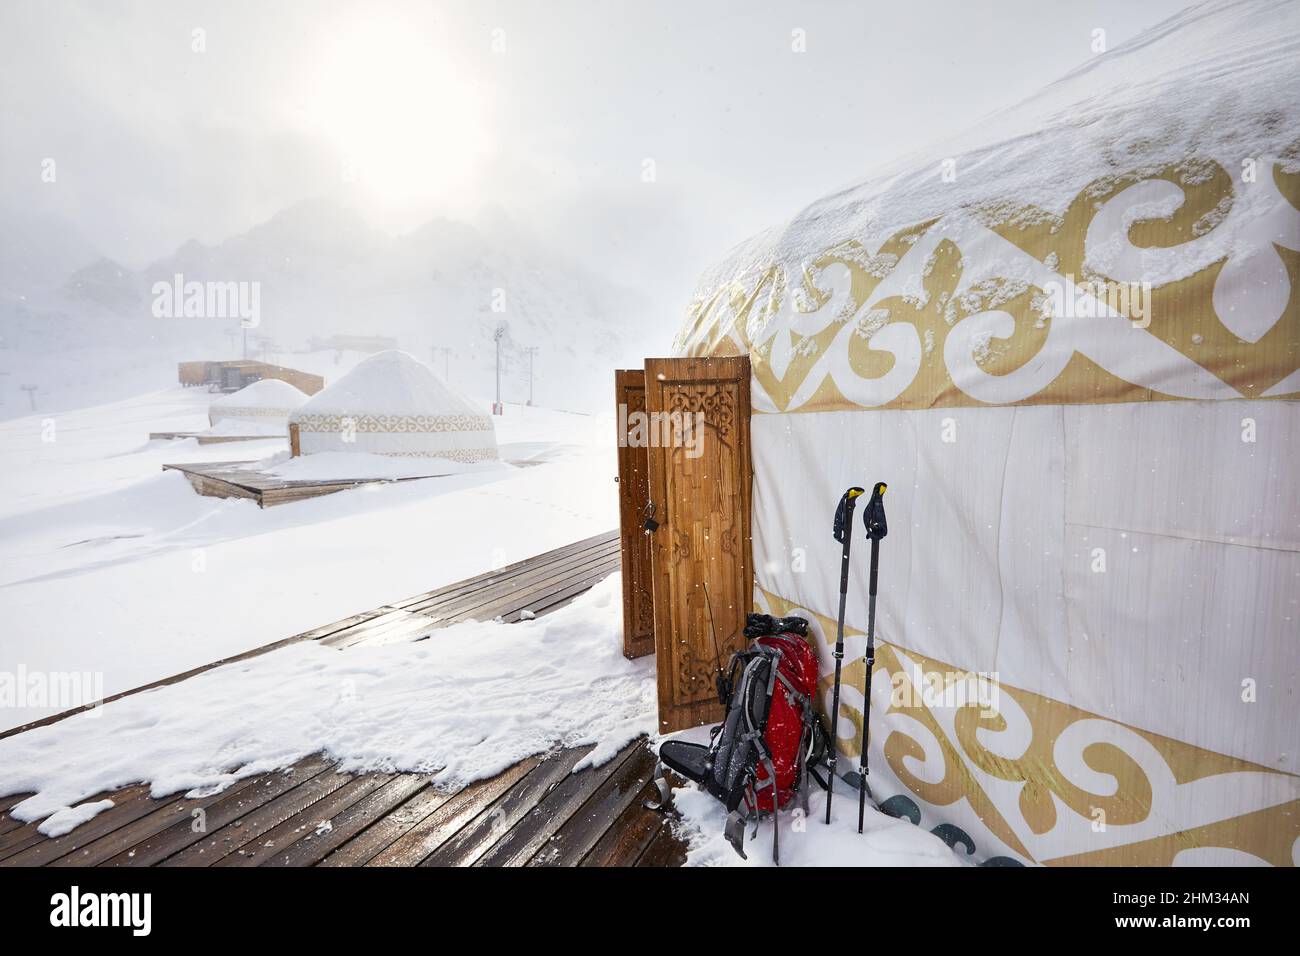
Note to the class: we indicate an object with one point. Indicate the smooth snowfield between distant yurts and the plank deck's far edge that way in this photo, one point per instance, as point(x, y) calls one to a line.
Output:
point(115, 570)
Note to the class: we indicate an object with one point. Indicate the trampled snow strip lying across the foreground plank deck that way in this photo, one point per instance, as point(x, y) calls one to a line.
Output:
point(470, 702)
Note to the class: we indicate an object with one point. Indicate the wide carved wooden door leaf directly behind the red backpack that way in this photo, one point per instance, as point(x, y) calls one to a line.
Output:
point(700, 494)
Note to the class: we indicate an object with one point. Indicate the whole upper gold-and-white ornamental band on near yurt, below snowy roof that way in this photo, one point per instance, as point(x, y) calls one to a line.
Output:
point(1158, 284)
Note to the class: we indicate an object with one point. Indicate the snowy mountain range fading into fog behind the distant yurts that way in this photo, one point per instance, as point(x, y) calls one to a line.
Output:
point(320, 271)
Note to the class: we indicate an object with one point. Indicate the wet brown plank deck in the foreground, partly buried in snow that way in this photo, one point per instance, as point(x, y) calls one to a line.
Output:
point(538, 814)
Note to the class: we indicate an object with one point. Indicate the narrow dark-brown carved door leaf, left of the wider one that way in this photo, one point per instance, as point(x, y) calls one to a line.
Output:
point(630, 400)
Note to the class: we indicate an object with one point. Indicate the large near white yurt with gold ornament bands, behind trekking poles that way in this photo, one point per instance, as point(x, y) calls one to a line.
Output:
point(1069, 343)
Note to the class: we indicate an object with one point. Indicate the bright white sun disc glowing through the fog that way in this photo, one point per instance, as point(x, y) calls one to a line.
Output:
point(406, 122)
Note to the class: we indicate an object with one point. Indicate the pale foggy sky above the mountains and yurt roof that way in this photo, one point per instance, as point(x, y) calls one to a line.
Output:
point(157, 144)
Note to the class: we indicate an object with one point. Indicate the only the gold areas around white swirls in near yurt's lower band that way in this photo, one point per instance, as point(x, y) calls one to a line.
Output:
point(1267, 833)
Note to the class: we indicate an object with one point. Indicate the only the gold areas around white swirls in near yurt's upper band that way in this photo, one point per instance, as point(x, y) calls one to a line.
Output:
point(765, 315)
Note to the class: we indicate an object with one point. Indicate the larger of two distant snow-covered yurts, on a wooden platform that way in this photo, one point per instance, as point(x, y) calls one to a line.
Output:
point(392, 404)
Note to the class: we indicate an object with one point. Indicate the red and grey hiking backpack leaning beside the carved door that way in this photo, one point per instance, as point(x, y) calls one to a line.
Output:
point(761, 756)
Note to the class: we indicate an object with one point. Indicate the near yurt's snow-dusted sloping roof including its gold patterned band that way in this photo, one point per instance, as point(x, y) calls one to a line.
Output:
point(1154, 162)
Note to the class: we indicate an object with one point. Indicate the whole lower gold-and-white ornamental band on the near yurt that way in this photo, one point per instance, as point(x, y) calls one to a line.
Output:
point(1030, 777)
